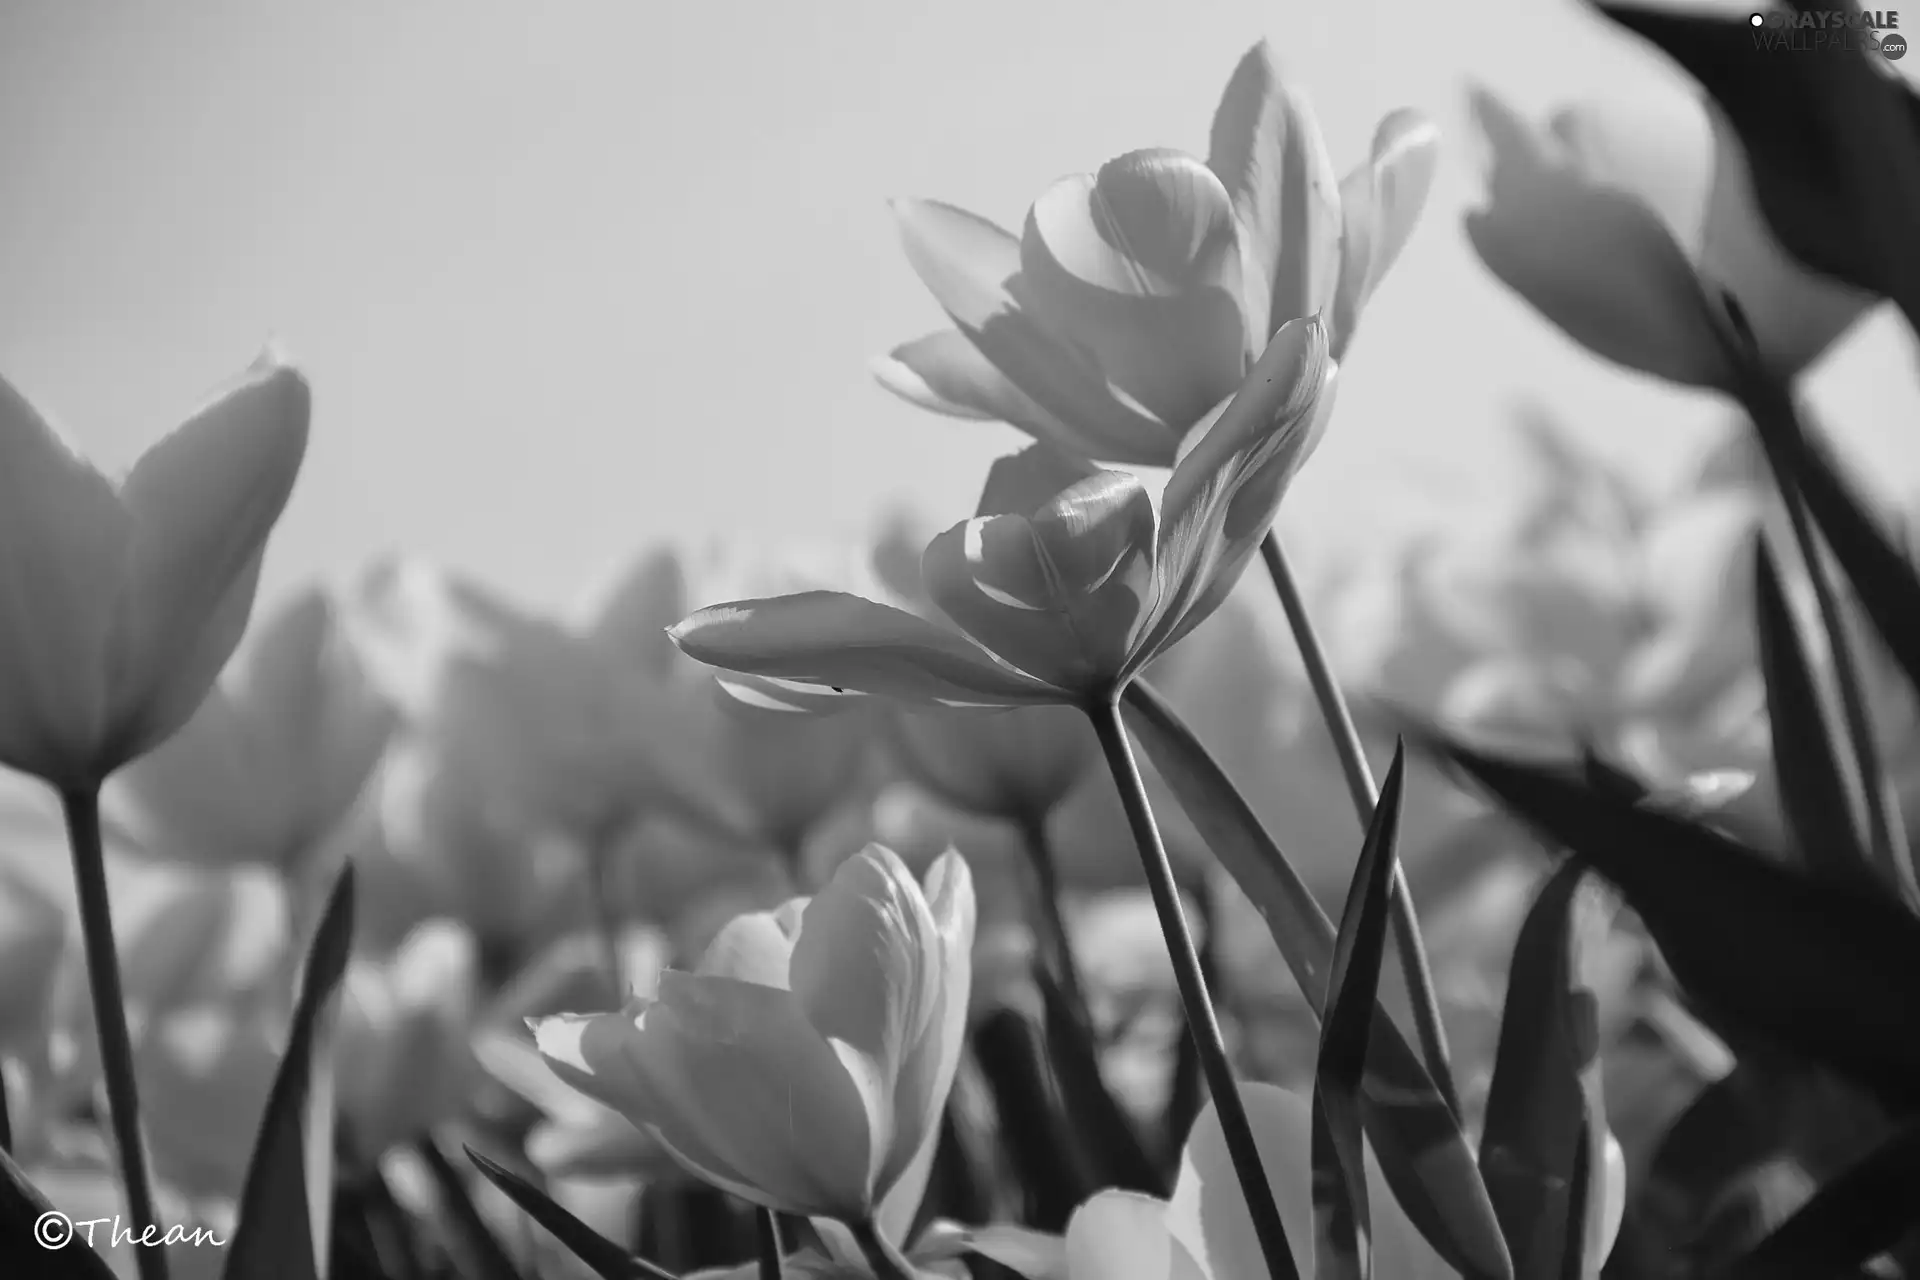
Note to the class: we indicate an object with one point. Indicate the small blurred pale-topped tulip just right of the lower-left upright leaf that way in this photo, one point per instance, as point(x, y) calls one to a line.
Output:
point(402, 1060)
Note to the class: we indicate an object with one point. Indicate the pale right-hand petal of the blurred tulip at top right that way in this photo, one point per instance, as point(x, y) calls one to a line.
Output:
point(1679, 156)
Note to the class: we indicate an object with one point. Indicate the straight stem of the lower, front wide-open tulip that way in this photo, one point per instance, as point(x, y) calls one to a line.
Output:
point(1201, 1022)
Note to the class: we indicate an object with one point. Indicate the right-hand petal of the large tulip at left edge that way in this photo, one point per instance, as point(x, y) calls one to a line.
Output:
point(203, 504)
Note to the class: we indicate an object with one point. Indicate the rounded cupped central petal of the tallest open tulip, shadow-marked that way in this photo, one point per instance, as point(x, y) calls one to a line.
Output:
point(1141, 268)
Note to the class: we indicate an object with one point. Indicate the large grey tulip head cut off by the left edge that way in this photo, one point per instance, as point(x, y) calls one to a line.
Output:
point(124, 602)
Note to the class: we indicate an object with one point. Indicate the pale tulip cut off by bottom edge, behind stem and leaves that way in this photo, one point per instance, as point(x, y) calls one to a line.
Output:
point(1205, 1233)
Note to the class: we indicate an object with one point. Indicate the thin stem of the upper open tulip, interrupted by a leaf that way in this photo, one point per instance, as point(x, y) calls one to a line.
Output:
point(1366, 795)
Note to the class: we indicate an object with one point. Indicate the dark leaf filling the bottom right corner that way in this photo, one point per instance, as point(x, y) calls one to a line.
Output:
point(1856, 1218)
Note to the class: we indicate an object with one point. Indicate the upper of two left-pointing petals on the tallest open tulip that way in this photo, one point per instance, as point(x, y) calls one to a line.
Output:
point(972, 270)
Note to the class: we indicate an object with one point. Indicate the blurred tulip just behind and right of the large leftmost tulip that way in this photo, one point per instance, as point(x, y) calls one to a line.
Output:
point(276, 757)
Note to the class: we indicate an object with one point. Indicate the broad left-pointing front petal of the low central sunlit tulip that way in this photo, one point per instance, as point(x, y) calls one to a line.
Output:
point(700, 1070)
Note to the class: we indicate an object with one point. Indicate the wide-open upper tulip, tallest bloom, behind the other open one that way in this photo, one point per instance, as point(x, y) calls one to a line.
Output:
point(1138, 298)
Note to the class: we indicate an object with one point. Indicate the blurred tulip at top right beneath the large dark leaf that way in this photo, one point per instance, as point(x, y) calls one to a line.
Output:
point(1620, 220)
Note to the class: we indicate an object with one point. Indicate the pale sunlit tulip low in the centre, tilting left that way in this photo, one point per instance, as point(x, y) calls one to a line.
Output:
point(805, 1064)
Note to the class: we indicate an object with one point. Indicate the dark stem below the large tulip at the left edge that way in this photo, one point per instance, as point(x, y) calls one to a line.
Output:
point(110, 1018)
